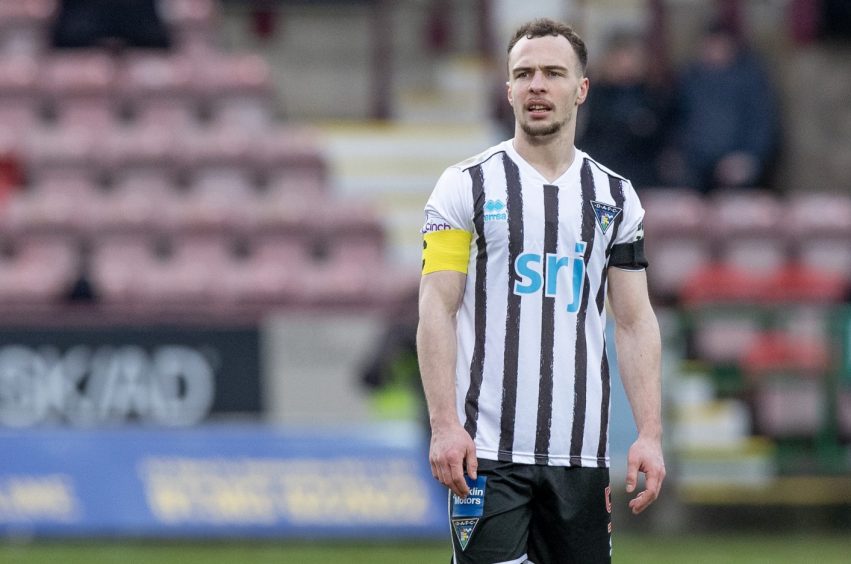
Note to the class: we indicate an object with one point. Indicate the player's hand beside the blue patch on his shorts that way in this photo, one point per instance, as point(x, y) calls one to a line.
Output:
point(451, 450)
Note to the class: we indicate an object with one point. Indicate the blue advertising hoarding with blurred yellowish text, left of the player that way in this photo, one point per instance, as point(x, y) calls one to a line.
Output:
point(218, 481)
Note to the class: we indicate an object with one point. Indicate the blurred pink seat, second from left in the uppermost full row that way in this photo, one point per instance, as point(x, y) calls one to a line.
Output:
point(80, 87)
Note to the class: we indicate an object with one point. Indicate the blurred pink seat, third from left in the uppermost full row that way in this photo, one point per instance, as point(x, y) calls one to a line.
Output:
point(157, 88)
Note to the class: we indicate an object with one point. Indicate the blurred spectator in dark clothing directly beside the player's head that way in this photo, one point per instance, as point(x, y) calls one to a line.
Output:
point(625, 118)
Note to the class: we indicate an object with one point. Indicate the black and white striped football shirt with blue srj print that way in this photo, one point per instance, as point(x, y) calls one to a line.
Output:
point(532, 377)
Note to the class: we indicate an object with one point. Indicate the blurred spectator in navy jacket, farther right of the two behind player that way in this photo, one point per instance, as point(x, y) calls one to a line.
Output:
point(727, 118)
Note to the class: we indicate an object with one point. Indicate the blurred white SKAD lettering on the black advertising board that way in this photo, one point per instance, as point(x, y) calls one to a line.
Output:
point(84, 385)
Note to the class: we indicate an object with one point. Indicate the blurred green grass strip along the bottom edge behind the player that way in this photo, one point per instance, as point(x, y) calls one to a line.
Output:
point(628, 549)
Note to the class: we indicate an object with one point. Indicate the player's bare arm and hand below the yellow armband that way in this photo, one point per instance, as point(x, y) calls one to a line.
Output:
point(451, 446)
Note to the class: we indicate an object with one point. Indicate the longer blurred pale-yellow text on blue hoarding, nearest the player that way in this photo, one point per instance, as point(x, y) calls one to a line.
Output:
point(316, 492)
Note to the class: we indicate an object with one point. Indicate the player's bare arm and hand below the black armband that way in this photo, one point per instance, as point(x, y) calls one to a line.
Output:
point(639, 351)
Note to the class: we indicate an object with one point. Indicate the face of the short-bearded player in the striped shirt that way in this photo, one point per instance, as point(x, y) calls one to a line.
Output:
point(545, 85)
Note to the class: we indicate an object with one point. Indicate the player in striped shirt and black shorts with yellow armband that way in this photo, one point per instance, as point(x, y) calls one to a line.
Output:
point(520, 243)
